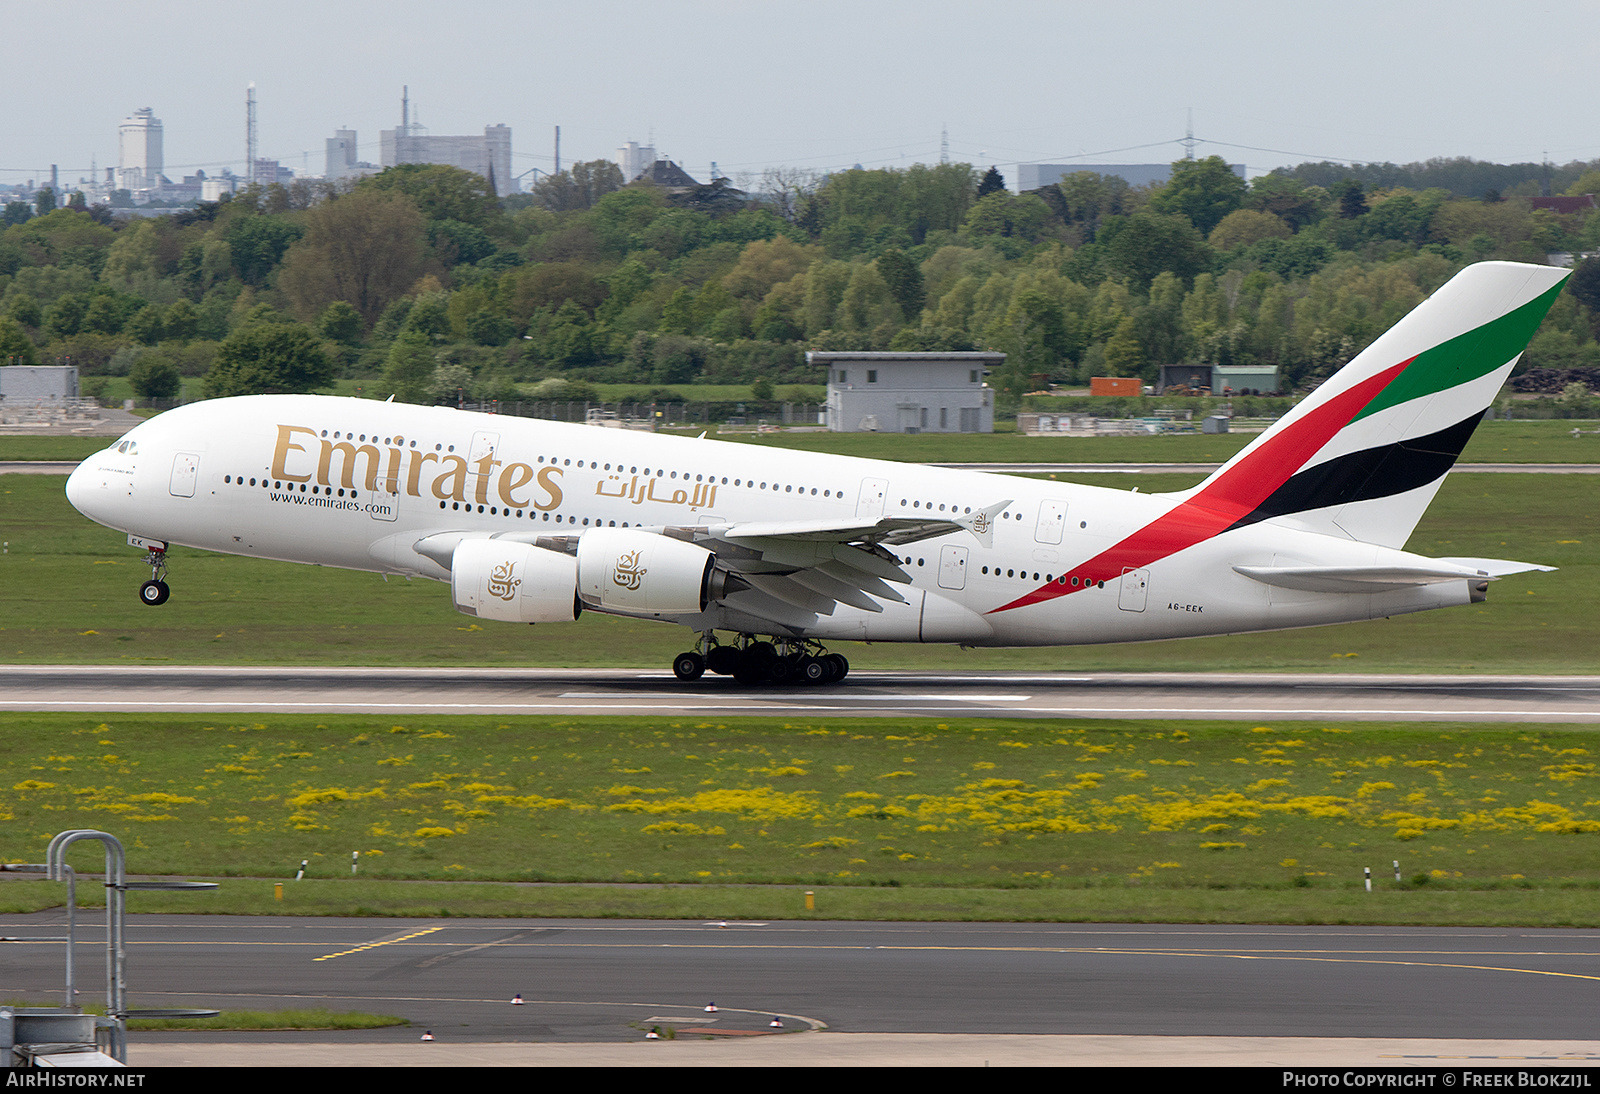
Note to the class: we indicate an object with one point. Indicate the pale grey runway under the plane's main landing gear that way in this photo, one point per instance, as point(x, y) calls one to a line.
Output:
point(868, 695)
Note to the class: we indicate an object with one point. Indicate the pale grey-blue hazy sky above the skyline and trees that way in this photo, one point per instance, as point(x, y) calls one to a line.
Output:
point(815, 84)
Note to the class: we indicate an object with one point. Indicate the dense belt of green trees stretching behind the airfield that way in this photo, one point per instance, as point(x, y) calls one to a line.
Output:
point(420, 284)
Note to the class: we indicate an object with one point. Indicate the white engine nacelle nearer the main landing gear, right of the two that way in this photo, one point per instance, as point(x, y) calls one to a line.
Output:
point(638, 572)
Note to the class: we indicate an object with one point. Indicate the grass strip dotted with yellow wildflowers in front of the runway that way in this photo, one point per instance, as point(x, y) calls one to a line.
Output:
point(1073, 813)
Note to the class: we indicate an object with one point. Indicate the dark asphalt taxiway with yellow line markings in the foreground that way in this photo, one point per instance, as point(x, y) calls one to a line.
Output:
point(610, 981)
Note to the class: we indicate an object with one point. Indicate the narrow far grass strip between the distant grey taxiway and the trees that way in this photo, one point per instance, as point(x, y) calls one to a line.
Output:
point(1548, 442)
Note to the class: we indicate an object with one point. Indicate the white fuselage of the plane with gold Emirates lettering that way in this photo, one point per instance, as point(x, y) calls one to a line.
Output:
point(356, 484)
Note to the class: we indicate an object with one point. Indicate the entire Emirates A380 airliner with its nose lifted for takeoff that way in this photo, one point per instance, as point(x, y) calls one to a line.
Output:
point(782, 551)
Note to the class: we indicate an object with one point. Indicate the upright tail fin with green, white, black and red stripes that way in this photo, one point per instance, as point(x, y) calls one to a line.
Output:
point(1364, 455)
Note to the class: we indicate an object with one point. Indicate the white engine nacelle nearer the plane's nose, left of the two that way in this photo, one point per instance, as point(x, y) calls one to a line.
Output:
point(514, 583)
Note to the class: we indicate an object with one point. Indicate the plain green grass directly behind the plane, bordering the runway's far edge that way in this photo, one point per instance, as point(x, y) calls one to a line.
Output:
point(68, 596)
